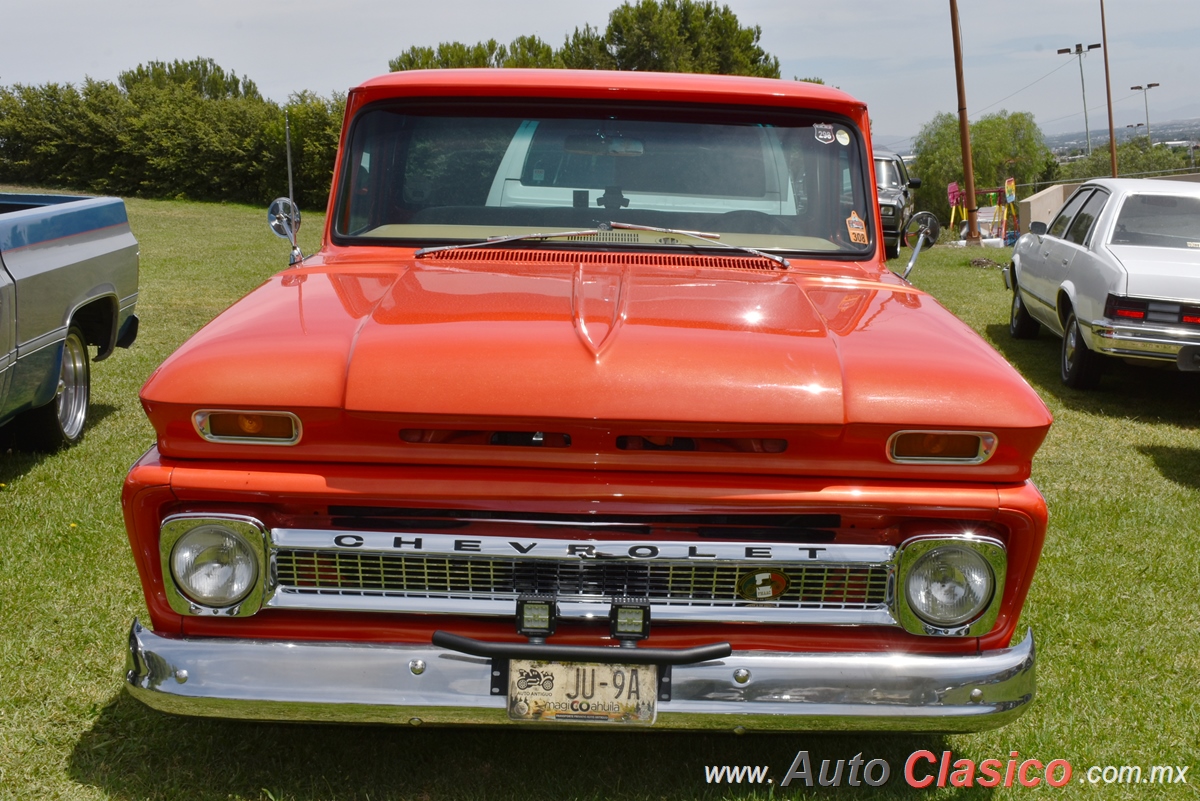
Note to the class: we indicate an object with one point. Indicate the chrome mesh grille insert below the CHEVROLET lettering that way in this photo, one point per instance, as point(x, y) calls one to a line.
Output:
point(674, 583)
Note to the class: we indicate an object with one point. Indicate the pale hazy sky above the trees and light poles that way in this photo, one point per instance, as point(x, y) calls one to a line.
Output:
point(895, 56)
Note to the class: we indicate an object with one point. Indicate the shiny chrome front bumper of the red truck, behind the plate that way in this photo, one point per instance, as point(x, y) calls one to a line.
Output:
point(425, 685)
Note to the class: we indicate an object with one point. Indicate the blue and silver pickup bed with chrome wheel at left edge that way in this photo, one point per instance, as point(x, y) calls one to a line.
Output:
point(69, 280)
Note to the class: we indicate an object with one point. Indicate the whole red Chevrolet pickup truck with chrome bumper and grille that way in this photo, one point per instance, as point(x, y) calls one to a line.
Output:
point(598, 407)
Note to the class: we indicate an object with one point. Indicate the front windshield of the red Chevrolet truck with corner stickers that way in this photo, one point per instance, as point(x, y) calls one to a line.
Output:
point(443, 174)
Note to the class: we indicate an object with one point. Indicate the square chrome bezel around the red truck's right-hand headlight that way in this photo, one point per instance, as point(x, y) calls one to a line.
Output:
point(994, 556)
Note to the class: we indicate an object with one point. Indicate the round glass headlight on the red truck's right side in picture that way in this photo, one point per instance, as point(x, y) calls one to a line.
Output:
point(950, 586)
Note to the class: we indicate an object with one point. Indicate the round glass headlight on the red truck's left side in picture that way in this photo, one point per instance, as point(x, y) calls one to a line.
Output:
point(214, 565)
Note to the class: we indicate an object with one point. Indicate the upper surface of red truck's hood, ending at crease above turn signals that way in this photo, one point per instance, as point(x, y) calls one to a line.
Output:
point(599, 342)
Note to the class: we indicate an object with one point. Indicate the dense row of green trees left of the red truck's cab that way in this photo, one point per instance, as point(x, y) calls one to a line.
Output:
point(183, 130)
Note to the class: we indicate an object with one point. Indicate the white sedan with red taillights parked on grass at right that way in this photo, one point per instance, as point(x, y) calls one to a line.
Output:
point(1118, 273)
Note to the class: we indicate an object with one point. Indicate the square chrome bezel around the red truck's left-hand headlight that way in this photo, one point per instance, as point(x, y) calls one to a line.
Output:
point(248, 531)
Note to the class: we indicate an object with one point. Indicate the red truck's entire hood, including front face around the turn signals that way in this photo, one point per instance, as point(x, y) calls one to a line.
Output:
point(827, 357)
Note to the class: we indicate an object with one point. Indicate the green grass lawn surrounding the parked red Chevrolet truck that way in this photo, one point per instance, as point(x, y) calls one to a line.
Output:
point(1115, 606)
